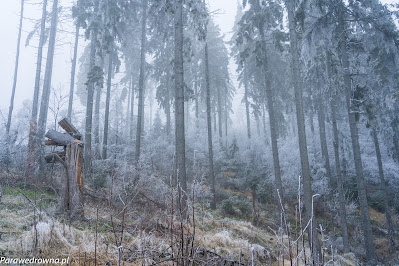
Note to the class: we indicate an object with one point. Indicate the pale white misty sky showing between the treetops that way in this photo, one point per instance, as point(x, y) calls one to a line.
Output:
point(9, 23)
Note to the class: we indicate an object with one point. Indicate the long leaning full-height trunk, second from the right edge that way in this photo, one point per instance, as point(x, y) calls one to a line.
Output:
point(366, 225)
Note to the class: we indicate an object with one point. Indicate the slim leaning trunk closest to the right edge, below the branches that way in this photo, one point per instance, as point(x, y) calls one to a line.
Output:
point(384, 190)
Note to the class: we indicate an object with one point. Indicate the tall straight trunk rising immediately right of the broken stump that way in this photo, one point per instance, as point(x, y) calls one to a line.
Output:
point(90, 97)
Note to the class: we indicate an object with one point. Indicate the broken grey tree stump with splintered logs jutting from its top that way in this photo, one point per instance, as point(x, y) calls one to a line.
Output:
point(71, 157)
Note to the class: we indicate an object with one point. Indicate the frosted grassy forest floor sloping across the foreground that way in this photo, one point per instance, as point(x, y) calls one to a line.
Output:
point(29, 226)
